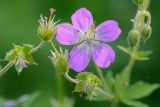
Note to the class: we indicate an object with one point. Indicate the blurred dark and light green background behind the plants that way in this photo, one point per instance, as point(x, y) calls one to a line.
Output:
point(18, 25)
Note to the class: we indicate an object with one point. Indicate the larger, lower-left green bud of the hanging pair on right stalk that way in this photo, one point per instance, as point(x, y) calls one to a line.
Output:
point(133, 38)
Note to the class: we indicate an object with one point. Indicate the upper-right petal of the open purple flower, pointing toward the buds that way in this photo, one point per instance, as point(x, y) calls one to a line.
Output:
point(108, 31)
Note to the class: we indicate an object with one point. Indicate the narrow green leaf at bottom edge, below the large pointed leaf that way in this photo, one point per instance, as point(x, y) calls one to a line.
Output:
point(133, 103)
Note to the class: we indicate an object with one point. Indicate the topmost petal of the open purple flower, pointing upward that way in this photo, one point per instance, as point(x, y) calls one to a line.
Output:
point(82, 19)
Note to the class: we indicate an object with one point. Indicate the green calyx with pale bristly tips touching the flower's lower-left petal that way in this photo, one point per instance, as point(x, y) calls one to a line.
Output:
point(60, 61)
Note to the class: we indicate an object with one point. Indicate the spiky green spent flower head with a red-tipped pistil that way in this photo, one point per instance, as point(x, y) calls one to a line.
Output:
point(47, 27)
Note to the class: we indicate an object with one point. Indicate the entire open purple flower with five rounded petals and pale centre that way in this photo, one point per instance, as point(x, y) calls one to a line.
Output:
point(89, 40)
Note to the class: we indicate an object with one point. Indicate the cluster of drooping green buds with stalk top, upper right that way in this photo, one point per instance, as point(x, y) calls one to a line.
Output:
point(142, 28)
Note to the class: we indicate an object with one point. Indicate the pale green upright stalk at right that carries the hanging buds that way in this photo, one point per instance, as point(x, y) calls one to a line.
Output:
point(138, 24)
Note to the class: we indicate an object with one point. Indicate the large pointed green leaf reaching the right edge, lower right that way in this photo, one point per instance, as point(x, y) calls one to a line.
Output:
point(140, 90)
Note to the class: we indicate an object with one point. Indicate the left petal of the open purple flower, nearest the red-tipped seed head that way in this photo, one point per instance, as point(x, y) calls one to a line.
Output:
point(67, 35)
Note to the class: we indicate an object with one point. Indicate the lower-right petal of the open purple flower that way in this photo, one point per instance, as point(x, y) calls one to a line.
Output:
point(103, 55)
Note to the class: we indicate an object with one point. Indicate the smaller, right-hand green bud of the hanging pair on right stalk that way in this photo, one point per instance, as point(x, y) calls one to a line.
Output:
point(146, 31)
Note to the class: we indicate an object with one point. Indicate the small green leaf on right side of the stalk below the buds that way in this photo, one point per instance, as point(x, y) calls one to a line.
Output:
point(142, 55)
